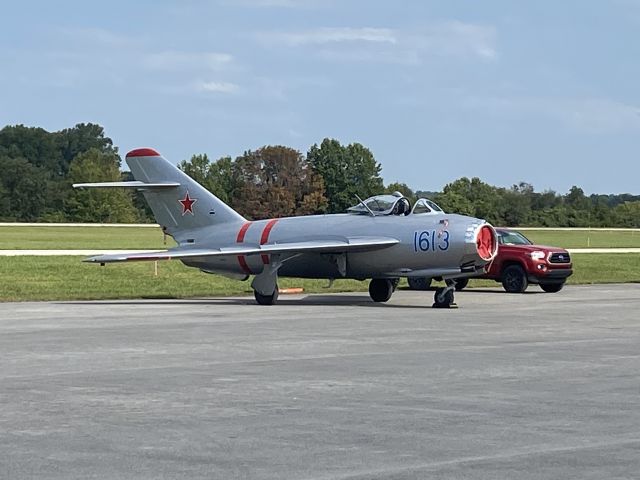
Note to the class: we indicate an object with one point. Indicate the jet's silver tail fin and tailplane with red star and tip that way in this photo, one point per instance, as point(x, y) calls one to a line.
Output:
point(179, 203)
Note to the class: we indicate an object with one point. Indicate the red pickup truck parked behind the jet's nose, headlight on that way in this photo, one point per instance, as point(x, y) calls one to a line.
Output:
point(519, 262)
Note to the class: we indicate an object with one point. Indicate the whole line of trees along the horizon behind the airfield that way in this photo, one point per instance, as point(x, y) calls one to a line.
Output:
point(38, 167)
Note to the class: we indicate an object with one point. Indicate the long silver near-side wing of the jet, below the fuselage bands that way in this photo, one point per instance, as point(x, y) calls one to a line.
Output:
point(317, 246)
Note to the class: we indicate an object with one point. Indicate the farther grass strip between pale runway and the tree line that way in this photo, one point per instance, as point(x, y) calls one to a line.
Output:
point(134, 238)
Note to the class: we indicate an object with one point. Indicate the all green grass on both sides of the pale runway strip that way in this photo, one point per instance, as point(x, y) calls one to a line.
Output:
point(67, 278)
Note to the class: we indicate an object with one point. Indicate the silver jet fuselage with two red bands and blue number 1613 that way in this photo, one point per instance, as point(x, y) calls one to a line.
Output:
point(428, 245)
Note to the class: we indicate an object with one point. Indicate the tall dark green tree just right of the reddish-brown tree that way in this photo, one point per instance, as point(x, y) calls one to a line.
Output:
point(347, 171)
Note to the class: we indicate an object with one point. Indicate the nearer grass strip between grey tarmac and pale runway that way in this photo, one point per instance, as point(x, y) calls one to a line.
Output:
point(67, 278)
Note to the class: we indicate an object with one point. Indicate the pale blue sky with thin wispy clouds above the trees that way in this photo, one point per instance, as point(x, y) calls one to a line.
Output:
point(545, 92)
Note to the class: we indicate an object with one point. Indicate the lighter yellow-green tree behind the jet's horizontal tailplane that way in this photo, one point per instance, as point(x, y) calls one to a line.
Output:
point(98, 205)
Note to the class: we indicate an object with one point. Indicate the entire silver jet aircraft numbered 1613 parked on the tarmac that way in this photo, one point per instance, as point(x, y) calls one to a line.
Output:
point(381, 239)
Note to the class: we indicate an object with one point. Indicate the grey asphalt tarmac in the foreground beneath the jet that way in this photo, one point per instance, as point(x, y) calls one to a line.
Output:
point(520, 387)
